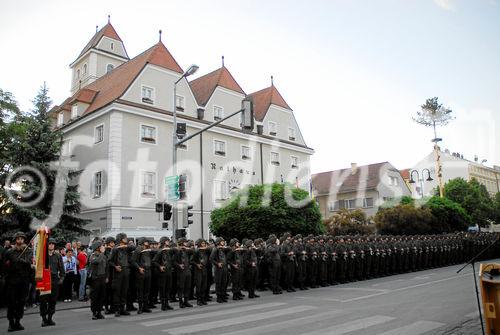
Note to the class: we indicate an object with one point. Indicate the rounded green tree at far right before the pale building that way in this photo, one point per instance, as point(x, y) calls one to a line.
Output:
point(474, 198)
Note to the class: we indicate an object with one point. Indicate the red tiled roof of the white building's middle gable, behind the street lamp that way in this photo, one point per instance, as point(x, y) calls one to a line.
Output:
point(204, 86)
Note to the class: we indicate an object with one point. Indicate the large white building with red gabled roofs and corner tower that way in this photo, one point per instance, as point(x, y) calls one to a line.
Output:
point(117, 126)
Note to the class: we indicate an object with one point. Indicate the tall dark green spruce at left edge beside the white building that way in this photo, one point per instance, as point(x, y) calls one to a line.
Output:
point(38, 146)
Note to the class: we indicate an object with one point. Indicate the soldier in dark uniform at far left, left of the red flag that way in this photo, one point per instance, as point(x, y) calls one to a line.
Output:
point(18, 264)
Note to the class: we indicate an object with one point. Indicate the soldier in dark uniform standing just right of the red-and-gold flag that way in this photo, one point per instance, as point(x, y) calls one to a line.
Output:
point(57, 273)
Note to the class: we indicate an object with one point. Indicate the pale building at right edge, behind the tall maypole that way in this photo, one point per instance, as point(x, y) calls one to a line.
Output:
point(453, 166)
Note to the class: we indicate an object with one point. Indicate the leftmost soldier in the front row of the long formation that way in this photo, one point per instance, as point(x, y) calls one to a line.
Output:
point(99, 274)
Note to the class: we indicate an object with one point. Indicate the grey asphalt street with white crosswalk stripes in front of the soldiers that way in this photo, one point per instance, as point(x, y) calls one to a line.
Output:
point(426, 302)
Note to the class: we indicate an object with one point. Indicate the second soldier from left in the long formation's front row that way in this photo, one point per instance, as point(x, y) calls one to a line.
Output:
point(120, 263)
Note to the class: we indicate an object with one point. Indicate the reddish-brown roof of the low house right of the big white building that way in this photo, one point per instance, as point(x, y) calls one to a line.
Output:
point(328, 182)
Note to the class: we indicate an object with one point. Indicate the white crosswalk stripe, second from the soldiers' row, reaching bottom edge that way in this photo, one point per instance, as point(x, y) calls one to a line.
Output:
point(238, 320)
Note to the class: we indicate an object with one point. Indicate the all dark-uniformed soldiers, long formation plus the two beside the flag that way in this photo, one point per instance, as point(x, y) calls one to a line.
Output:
point(149, 273)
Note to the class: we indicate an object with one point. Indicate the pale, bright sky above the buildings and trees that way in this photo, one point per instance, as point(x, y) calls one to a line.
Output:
point(353, 71)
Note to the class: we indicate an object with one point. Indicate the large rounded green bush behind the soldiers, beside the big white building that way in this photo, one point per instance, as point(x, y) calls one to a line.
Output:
point(260, 210)
